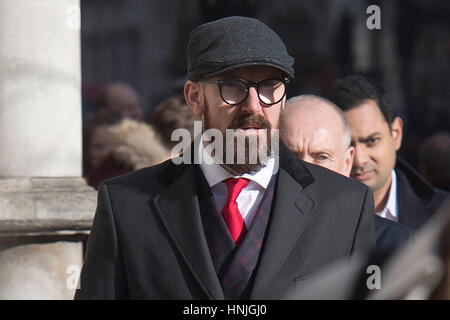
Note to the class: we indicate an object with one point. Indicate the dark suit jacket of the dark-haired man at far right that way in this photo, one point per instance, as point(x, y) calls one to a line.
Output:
point(417, 199)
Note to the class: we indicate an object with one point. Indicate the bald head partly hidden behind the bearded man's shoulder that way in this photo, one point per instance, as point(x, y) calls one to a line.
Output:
point(317, 132)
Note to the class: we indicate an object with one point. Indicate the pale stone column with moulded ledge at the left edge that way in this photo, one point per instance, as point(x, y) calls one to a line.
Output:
point(46, 208)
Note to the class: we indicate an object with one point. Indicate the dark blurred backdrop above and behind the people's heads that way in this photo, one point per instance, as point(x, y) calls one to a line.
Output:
point(143, 43)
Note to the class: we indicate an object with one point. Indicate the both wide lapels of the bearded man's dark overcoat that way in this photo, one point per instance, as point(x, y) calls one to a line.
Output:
point(178, 207)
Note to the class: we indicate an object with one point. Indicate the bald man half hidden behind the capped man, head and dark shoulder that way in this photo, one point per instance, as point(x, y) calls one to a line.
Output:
point(316, 131)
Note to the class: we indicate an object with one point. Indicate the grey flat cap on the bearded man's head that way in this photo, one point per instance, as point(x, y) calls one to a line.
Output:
point(233, 42)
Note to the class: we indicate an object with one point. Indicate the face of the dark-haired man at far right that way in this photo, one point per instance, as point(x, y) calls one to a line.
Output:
point(375, 145)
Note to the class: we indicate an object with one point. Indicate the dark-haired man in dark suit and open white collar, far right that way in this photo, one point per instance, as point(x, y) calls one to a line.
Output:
point(400, 193)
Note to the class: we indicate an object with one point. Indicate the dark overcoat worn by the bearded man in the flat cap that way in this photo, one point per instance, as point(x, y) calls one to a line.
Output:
point(147, 239)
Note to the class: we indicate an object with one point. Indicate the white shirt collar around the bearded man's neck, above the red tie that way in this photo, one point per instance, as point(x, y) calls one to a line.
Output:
point(215, 173)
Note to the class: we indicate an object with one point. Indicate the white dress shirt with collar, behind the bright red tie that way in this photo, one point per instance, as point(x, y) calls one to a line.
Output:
point(250, 196)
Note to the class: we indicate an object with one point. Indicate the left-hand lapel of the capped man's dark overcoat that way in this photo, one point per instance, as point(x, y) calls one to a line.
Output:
point(179, 210)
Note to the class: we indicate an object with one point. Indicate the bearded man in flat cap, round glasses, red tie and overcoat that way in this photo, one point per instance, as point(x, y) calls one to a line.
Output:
point(224, 226)
